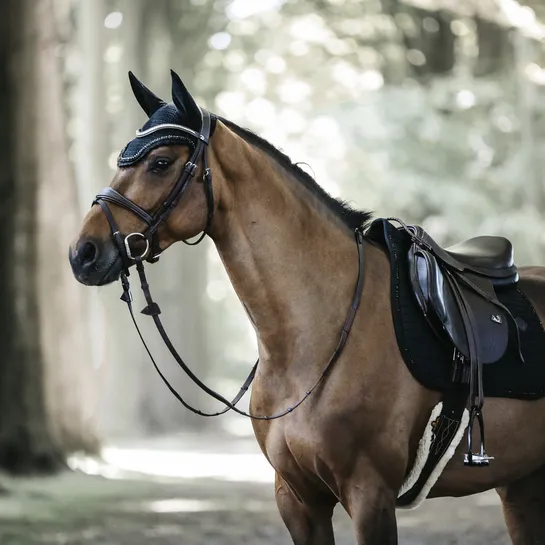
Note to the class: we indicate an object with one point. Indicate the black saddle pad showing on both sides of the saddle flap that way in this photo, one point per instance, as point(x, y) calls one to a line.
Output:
point(429, 358)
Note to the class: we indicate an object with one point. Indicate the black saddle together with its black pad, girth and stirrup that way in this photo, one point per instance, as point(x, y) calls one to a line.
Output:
point(464, 327)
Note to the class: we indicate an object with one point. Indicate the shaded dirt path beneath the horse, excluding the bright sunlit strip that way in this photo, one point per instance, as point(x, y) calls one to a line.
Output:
point(82, 510)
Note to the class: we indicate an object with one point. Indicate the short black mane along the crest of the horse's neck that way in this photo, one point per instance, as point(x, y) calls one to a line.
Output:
point(351, 217)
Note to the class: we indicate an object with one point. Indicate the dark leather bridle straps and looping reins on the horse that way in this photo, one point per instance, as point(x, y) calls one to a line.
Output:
point(151, 254)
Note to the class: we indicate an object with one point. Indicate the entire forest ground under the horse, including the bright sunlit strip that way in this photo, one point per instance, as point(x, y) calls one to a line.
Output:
point(204, 494)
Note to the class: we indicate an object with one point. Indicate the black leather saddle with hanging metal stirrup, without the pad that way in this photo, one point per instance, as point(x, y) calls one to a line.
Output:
point(456, 289)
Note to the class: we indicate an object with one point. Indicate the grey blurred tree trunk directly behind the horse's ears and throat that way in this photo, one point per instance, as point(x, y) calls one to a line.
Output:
point(175, 35)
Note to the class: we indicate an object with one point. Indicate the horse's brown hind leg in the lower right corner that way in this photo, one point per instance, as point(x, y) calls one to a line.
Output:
point(524, 509)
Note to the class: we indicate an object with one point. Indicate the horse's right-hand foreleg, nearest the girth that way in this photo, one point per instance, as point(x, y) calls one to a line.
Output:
point(371, 507)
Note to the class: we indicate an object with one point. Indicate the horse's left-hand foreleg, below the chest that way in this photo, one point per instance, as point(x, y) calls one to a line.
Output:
point(307, 523)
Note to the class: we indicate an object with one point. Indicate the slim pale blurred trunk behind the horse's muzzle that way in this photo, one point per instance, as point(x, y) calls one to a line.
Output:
point(116, 415)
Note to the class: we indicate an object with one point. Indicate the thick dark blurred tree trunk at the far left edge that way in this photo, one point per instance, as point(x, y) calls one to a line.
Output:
point(46, 381)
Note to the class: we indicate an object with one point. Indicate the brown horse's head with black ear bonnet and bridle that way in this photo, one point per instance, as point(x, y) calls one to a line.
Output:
point(161, 193)
